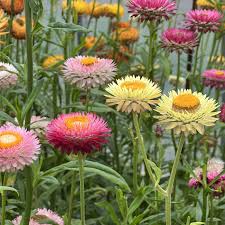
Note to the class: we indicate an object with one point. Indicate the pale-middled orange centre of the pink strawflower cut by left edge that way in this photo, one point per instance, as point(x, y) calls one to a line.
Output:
point(9, 139)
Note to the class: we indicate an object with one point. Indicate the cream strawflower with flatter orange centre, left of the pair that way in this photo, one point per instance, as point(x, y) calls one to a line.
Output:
point(132, 94)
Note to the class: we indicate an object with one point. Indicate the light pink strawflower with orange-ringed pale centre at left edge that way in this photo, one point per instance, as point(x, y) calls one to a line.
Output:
point(18, 148)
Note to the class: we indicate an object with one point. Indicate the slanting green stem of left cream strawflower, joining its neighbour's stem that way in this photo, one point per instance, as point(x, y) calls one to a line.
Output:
point(146, 161)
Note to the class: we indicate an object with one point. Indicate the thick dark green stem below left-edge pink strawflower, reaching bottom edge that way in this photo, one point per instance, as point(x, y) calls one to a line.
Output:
point(29, 194)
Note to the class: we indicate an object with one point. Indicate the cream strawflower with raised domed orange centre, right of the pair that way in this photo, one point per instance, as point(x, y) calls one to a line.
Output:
point(186, 112)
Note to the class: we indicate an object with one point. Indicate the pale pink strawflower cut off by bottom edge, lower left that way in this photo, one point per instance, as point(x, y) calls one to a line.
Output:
point(40, 216)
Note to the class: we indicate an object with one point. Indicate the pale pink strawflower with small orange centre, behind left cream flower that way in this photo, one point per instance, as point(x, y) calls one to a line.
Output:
point(88, 72)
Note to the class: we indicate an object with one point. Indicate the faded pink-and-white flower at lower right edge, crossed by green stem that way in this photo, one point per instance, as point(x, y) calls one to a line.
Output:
point(214, 177)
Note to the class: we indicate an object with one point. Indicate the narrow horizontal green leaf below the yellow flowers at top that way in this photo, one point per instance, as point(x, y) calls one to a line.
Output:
point(66, 27)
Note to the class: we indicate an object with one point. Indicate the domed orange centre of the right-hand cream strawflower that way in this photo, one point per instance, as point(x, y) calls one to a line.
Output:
point(186, 102)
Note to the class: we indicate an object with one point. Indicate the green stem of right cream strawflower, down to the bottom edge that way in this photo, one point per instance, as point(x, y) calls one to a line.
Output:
point(172, 179)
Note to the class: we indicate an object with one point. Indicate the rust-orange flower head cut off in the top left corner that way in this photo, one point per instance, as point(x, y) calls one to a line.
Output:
point(18, 6)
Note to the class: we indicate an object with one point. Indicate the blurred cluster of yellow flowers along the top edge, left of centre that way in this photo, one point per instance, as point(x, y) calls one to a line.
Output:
point(95, 9)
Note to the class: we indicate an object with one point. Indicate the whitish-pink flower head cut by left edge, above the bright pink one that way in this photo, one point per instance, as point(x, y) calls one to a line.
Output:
point(8, 75)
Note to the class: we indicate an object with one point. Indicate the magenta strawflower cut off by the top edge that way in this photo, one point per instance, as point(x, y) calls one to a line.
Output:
point(150, 10)
